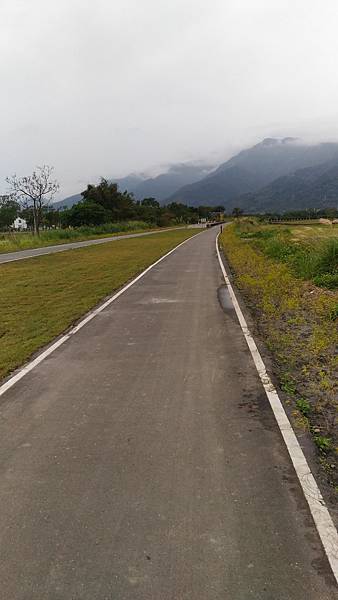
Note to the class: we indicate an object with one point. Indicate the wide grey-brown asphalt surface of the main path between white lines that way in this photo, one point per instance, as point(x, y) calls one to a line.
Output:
point(141, 460)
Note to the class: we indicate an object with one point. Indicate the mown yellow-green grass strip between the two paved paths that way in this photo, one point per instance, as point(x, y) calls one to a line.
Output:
point(41, 297)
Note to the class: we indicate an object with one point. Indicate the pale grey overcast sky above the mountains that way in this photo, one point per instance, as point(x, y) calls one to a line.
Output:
point(113, 86)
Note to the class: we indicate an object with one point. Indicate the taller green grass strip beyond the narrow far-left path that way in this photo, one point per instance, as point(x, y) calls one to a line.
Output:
point(12, 242)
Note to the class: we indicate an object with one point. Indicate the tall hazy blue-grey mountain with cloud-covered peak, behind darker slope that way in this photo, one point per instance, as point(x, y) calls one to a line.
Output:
point(253, 169)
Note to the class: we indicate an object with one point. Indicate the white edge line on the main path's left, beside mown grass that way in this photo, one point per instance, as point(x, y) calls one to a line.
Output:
point(91, 315)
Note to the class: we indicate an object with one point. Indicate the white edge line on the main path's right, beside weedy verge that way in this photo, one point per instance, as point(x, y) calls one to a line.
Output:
point(320, 514)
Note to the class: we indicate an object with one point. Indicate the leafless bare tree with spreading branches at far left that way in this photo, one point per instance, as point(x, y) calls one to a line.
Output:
point(35, 191)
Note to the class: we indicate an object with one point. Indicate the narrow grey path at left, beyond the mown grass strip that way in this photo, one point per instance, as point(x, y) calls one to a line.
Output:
point(22, 254)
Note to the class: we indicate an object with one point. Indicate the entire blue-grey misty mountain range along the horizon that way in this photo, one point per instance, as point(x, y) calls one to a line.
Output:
point(273, 176)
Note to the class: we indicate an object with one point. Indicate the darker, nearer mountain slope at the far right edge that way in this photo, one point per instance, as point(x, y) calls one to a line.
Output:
point(314, 187)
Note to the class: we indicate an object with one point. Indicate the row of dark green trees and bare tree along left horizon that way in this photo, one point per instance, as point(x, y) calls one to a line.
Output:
point(30, 198)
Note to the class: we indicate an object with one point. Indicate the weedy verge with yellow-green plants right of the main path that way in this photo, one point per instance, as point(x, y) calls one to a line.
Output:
point(298, 321)
